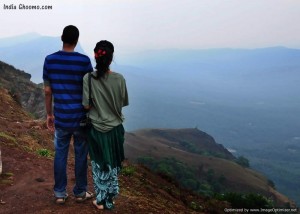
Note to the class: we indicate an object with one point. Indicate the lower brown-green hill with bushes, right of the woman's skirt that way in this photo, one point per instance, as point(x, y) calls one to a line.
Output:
point(211, 169)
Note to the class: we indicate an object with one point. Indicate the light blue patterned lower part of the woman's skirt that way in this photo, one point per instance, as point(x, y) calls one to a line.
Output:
point(106, 184)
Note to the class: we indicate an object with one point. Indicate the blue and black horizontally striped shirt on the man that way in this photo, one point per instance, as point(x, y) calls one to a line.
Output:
point(63, 72)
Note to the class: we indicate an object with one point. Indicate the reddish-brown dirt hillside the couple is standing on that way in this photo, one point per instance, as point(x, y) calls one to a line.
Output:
point(27, 180)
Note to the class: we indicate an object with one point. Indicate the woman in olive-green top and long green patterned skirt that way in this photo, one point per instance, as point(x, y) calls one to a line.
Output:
point(106, 137)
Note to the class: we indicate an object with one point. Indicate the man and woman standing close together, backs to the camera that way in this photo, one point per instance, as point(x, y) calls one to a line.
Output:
point(66, 82)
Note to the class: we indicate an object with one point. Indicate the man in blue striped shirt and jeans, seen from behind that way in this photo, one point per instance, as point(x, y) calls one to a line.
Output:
point(63, 78)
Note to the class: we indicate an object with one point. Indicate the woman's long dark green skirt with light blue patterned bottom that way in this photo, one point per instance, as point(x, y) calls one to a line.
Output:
point(106, 153)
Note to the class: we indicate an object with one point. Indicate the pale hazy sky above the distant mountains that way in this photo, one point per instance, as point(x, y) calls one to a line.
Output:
point(155, 24)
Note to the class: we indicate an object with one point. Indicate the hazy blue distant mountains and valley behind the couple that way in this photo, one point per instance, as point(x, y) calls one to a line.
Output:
point(247, 99)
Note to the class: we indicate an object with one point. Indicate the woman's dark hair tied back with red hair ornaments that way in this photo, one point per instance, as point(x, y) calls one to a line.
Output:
point(104, 51)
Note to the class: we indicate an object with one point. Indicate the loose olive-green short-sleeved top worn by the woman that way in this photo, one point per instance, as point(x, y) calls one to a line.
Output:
point(109, 95)
